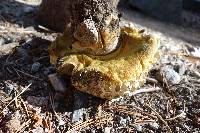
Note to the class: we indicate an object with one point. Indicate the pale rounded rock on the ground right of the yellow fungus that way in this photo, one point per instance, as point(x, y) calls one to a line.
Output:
point(169, 75)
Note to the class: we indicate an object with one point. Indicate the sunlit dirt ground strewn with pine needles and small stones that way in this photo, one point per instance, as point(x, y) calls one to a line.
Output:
point(29, 103)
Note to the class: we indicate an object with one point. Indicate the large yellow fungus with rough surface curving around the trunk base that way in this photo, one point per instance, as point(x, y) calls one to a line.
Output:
point(112, 75)
